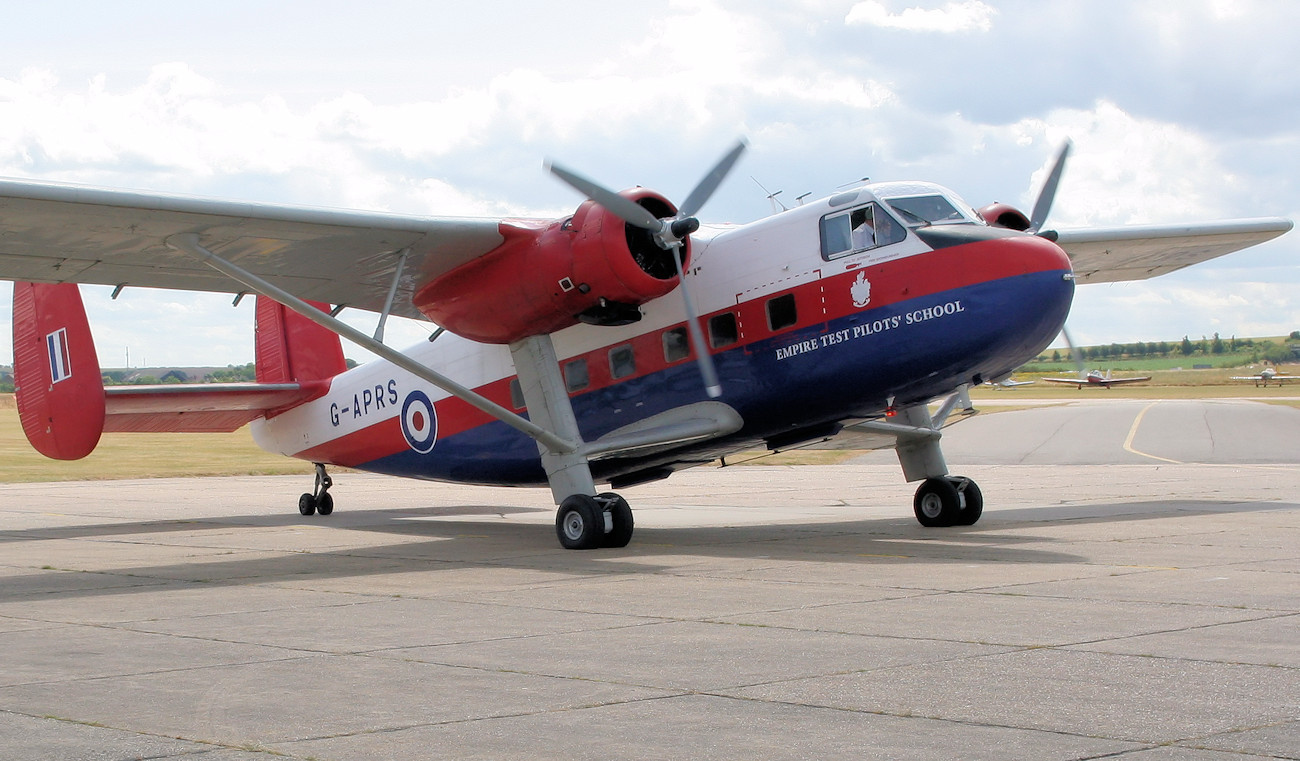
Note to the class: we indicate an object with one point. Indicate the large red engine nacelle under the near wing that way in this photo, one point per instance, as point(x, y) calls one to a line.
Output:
point(591, 267)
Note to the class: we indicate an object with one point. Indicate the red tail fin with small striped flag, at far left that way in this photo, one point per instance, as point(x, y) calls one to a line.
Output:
point(59, 387)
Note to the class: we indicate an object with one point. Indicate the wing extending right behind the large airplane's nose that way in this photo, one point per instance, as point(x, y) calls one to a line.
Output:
point(1143, 252)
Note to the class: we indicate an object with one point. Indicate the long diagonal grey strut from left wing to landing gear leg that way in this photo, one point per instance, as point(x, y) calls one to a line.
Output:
point(189, 244)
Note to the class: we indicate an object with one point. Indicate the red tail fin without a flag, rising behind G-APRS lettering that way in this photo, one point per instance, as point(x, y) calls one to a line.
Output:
point(293, 349)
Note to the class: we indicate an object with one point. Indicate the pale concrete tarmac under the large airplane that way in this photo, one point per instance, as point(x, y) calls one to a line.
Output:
point(1132, 593)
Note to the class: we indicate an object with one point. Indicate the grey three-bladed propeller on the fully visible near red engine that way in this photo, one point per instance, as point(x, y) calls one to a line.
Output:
point(669, 234)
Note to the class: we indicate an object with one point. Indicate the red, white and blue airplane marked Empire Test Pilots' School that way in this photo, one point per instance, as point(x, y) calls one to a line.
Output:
point(562, 356)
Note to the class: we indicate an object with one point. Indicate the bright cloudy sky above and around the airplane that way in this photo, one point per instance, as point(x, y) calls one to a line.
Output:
point(1180, 111)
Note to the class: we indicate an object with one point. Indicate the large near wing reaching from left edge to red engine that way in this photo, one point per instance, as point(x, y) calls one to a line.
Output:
point(66, 234)
